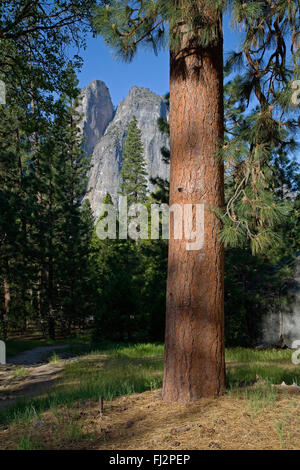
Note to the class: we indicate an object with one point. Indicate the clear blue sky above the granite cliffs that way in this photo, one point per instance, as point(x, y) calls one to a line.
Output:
point(146, 70)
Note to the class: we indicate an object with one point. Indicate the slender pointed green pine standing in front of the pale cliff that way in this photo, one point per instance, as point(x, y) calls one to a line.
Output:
point(133, 173)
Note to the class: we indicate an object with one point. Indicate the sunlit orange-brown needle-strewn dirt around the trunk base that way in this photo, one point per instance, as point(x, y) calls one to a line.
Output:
point(145, 422)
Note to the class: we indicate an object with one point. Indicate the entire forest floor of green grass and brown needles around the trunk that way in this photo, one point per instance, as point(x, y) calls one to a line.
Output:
point(255, 412)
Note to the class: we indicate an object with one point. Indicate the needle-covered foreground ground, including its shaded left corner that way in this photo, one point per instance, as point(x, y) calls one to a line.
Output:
point(143, 421)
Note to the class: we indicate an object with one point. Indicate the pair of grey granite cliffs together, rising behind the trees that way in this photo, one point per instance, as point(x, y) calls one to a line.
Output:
point(105, 134)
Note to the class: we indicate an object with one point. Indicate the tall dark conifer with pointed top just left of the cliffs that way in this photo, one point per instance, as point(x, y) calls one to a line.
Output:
point(65, 172)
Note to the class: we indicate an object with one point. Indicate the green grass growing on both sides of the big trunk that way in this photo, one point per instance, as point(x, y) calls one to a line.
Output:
point(114, 370)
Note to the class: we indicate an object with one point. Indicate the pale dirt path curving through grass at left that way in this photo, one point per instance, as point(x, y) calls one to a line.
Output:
point(29, 374)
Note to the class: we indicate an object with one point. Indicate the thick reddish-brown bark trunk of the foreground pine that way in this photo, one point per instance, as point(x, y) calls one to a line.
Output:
point(194, 342)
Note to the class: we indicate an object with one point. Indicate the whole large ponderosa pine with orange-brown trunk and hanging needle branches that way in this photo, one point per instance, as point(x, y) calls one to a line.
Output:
point(194, 349)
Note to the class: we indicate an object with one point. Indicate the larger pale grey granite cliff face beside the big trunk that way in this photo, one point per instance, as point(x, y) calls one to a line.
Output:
point(147, 107)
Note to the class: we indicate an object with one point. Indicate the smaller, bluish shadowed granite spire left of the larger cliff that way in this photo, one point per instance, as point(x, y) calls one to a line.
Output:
point(97, 111)
